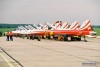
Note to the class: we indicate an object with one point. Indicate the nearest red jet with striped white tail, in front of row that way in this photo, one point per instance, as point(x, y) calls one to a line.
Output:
point(76, 34)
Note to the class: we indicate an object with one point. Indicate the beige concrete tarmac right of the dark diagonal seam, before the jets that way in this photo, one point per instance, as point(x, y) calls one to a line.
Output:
point(51, 53)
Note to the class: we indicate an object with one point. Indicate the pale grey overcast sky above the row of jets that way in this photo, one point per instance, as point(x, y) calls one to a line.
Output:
point(41, 11)
